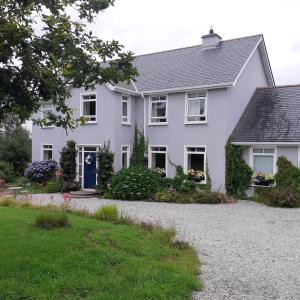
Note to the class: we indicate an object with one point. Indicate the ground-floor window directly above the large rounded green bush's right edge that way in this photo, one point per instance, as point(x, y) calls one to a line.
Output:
point(158, 159)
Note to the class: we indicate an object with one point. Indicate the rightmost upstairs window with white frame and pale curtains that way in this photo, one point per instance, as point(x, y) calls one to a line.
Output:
point(195, 108)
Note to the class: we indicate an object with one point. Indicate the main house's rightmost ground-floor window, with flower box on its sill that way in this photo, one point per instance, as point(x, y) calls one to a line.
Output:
point(195, 163)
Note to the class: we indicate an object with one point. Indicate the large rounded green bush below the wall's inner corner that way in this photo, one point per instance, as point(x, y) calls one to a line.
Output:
point(135, 183)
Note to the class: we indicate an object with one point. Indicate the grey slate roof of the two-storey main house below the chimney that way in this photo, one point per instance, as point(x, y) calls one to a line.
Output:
point(193, 66)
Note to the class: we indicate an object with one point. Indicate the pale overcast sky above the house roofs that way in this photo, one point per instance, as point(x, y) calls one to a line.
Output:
point(145, 26)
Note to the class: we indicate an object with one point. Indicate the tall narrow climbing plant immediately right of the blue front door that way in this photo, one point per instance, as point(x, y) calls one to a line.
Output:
point(105, 168)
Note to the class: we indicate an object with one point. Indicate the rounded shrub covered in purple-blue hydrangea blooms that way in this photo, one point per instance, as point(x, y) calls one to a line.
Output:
point(41, 171)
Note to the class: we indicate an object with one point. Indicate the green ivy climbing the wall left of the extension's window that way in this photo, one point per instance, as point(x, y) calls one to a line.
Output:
point(238, 174)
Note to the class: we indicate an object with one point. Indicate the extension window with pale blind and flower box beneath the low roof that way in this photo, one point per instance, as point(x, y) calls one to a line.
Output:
point(264, 165)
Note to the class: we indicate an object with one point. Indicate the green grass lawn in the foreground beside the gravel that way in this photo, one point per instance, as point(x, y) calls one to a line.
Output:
point(90, 260)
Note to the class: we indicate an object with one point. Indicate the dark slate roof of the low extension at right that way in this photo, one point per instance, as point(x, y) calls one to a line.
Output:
point(272, 115)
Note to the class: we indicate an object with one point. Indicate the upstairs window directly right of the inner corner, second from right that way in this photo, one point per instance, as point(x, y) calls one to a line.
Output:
point(158, 110)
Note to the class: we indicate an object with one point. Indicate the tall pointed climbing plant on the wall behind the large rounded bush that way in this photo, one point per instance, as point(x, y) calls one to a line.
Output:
point(139, 150)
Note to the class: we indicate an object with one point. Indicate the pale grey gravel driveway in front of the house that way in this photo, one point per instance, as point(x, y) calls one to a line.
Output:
point(248, 250)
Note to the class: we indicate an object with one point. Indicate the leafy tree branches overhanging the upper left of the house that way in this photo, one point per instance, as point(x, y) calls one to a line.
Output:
point(43, 67)
